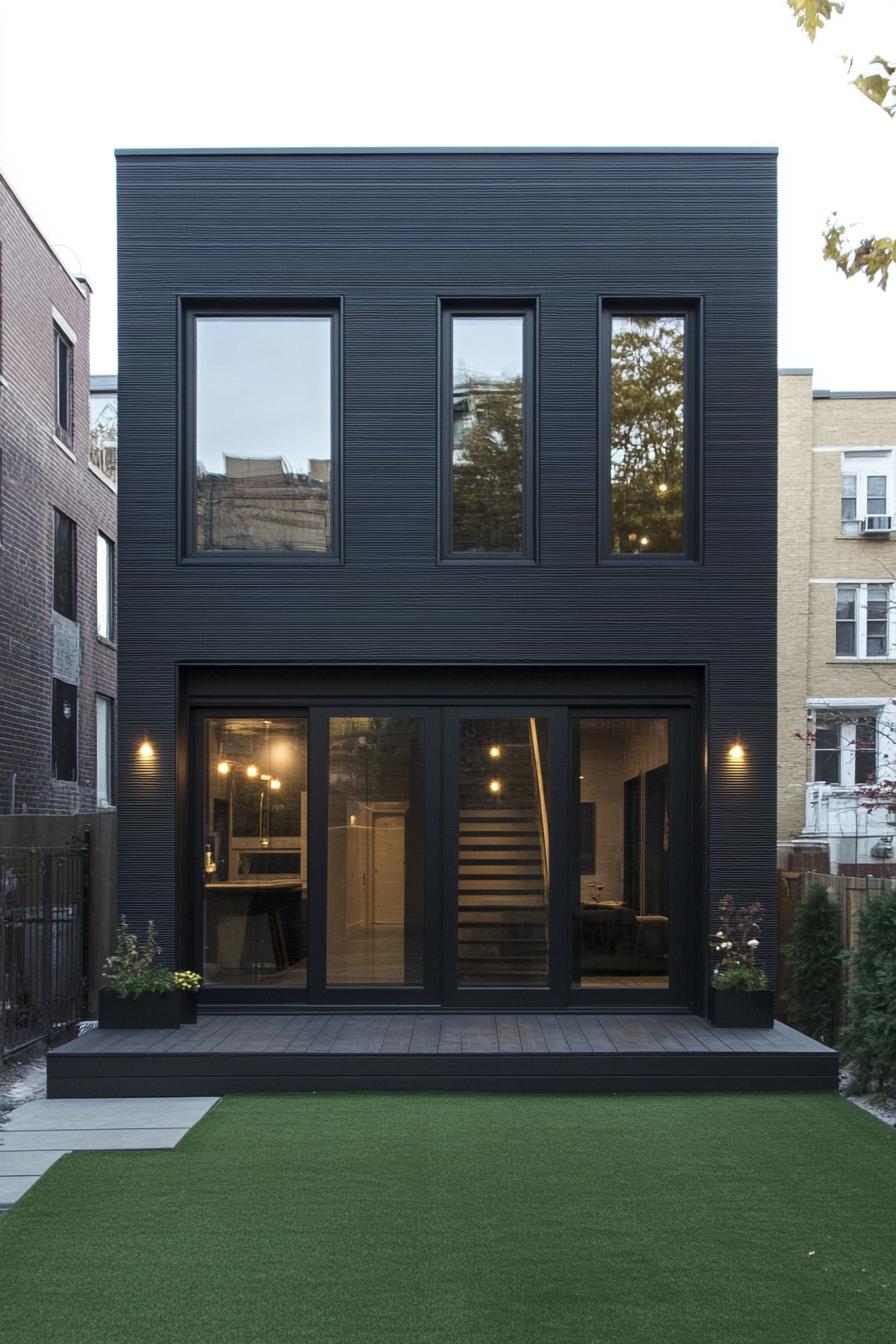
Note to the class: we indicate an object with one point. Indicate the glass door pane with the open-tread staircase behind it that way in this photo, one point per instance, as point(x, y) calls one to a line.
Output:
point(503, 853)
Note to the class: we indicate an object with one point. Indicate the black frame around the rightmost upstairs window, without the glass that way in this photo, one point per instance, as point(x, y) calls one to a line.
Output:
point(691, 310)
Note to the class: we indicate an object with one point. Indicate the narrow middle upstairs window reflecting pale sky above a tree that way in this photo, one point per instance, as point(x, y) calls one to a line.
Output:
point(488, 432)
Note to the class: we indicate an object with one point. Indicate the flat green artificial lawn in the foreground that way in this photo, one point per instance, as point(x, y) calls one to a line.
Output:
point(436, 1220)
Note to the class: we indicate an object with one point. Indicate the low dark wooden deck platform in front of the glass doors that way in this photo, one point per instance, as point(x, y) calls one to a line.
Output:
point(310, 1052)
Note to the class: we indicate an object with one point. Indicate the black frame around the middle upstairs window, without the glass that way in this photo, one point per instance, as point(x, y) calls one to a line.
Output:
point(527, 308)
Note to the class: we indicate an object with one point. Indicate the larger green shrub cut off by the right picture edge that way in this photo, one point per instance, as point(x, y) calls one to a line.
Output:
point(868, 1041)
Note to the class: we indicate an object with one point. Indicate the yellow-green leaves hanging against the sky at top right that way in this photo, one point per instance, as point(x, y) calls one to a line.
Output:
point(874, 256)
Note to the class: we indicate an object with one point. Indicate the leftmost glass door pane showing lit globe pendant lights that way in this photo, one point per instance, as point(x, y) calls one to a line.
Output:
point(256, 851)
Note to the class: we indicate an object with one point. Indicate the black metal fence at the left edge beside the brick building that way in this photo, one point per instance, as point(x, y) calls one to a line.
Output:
point(44, 927)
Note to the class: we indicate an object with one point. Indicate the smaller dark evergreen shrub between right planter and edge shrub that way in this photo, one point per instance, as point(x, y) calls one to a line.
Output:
point(816, 967)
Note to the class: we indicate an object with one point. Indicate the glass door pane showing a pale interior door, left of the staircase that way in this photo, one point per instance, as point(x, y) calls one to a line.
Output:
point(375, 859)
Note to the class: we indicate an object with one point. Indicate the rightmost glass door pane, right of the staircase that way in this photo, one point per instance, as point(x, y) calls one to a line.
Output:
point(621, 923)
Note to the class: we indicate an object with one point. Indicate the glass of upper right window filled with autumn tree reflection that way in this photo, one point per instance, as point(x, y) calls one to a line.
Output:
point(647, 435)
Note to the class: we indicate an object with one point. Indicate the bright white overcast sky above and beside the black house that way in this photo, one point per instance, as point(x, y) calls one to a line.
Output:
point(79, 80)
